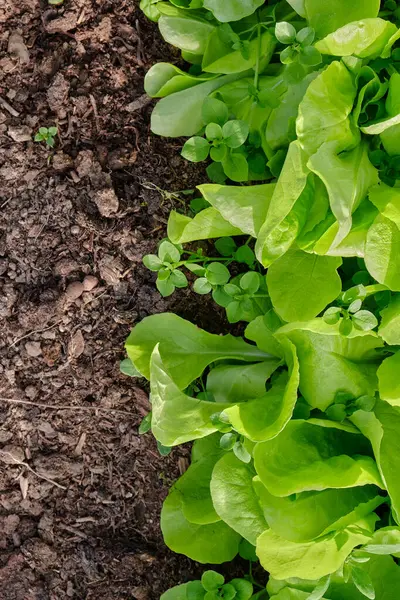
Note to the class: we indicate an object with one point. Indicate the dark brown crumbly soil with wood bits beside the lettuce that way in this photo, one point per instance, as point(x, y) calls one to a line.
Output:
point(80, 490)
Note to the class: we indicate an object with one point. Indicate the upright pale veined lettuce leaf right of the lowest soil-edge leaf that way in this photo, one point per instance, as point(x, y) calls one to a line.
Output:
point(234, 498)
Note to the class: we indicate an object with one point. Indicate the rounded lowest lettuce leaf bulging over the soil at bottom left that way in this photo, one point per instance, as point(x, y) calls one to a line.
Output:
point(213, 543)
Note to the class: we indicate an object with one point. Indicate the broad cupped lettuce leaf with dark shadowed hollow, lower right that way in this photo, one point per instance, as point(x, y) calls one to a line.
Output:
point(315, 455)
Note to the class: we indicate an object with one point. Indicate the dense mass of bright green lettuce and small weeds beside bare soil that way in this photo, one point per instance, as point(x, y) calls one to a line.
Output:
point(294, 425)
